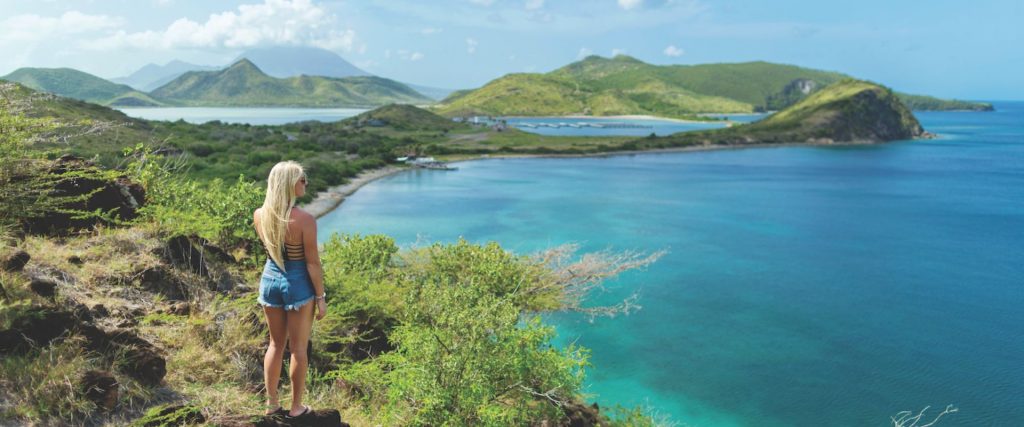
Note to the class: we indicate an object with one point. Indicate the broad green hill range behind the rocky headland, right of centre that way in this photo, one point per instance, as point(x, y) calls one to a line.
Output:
point(624, 86)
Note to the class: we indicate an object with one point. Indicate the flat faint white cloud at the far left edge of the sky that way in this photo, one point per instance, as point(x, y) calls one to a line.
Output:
point(28, 28)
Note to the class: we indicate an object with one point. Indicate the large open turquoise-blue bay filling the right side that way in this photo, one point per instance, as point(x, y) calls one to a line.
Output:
point(804, 286)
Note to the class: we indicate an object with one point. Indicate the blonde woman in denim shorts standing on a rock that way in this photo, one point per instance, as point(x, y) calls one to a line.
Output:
point(293, 279)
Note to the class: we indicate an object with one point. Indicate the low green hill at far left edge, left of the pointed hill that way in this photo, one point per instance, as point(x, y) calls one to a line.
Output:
point(75, 84)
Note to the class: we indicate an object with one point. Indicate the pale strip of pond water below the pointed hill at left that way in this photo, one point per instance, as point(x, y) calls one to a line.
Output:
point(270, 116)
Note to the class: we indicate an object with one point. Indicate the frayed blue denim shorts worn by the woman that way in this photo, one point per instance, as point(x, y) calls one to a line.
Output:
point(289, 290)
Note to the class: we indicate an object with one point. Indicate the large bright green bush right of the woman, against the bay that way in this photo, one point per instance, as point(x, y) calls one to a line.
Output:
point(464, 354)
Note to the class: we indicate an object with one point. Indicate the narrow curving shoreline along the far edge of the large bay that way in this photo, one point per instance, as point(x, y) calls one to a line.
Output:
point(329, 200)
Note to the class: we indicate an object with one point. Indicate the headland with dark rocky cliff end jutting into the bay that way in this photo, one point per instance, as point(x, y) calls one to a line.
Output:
point(849, 111)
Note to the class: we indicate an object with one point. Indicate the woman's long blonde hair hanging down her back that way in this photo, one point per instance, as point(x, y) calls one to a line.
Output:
point(276, 217)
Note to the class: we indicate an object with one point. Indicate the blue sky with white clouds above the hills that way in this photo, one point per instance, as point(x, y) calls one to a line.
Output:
point(968, 51)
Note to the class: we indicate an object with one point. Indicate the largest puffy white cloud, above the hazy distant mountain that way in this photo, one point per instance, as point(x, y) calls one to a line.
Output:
point(273, 23)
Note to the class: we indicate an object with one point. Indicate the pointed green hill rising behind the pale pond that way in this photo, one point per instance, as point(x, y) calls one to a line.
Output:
point(244, 84)
